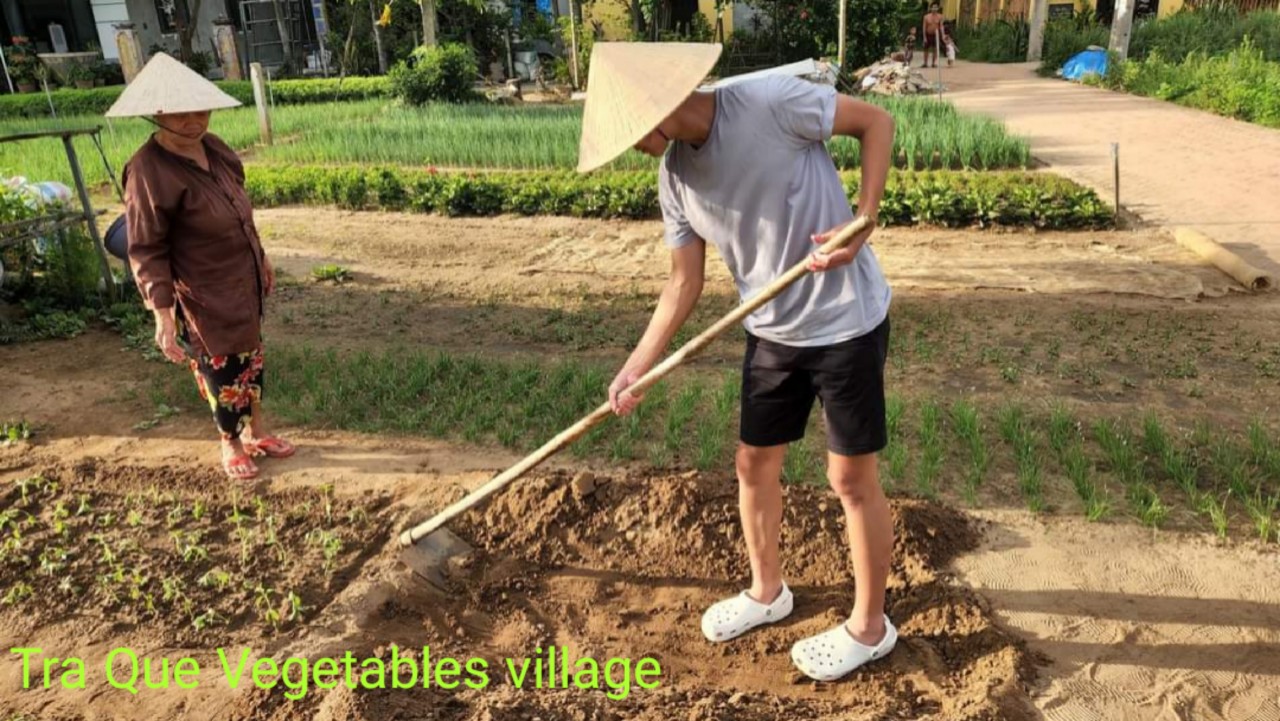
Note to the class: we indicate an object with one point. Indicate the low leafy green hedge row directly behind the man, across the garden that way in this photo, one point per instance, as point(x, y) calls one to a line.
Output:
point(949, 199)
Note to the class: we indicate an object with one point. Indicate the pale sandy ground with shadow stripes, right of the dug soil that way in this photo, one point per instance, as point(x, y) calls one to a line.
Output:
point(1137, 627)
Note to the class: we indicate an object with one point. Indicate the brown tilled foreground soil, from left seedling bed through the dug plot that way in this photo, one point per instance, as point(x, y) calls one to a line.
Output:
point(597, 567)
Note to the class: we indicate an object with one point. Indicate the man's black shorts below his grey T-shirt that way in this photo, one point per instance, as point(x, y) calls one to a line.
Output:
point(780, 384)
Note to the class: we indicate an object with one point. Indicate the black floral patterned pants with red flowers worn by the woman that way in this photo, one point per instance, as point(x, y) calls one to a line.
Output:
point(230, 385)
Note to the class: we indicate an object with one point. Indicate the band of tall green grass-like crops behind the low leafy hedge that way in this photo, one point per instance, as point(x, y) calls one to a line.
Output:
point(477, 136)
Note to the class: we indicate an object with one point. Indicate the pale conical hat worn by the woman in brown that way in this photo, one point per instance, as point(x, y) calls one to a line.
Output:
point(167, 86)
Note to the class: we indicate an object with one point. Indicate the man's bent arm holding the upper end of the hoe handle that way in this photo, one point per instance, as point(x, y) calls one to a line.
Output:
point(874, 127)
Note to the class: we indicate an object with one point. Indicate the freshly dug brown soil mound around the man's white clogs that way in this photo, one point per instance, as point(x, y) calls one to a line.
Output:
point(624, 568)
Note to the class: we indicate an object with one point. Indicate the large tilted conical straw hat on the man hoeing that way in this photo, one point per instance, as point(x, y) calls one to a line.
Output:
point(633, 88)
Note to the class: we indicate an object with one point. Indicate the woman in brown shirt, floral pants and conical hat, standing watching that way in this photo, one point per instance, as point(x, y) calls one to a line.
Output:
point(196, 254)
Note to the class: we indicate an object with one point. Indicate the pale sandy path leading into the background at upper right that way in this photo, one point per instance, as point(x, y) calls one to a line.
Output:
point(1178, 167)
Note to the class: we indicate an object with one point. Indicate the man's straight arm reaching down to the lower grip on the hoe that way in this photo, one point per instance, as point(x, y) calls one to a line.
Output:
point(678, 300)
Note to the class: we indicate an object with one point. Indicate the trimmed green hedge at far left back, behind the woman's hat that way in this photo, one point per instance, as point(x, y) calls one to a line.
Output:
point(71, 102)
